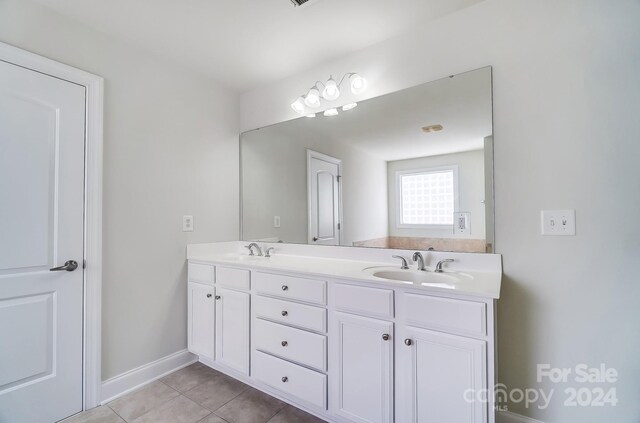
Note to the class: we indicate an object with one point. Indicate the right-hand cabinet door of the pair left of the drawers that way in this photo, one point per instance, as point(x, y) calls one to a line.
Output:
point(232, 329)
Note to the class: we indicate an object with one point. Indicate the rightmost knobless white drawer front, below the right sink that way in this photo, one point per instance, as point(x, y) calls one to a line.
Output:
point(464, 317)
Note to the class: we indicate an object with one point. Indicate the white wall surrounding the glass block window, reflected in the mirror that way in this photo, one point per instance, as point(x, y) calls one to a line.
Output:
point(470, 192)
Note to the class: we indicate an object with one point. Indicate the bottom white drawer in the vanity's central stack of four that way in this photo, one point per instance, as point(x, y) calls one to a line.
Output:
point(298, 381)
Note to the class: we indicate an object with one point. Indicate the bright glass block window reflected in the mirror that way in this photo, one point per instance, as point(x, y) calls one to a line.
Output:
point(427, 197)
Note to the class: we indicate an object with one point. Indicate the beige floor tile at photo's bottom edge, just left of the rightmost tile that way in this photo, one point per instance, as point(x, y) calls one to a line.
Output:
point(252, 406)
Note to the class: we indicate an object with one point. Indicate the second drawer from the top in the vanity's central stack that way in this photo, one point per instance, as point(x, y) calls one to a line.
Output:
point(304, 316)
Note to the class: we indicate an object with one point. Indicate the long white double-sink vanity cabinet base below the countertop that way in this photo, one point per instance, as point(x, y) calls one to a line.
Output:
point(348, 351)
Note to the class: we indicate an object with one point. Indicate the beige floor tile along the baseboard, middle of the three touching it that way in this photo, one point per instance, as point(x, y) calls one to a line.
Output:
point(139, 402)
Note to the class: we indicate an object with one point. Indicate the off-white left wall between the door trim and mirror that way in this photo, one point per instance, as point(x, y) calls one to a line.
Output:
point(170, 149)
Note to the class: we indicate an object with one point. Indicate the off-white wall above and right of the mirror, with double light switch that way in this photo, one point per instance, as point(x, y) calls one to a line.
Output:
point(566, 131)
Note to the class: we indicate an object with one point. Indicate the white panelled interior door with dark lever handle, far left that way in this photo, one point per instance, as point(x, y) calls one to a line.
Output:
point(42, 122)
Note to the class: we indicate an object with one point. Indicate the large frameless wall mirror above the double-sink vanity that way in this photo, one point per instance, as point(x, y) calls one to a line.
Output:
point(412, 170)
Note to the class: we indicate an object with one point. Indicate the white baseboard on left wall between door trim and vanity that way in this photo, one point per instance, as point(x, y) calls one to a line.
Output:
point(135, 378)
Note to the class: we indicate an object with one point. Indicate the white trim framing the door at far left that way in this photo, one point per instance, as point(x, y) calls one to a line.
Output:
point(93, 206)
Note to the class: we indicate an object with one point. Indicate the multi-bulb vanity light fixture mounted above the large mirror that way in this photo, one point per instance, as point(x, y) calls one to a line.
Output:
point(329, 91)
